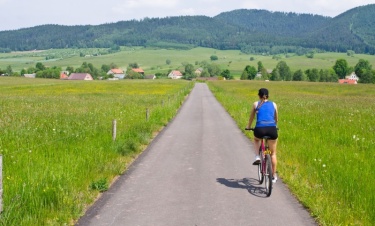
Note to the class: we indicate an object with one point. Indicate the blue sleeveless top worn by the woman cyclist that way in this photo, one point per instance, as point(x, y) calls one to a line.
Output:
point(265, 115)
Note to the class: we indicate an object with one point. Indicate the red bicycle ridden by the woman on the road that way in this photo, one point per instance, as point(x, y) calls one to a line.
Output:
point(265, 165)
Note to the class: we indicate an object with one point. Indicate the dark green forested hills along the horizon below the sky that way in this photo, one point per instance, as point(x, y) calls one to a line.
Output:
point(252, 31)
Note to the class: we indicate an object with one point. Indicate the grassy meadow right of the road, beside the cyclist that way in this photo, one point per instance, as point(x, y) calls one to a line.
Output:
point(326, 143)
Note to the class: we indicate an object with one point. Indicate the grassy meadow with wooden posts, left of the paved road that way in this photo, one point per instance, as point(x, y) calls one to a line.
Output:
point(57, 145)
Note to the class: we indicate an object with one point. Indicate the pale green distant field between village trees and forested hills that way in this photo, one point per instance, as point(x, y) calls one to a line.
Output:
point(154, 60)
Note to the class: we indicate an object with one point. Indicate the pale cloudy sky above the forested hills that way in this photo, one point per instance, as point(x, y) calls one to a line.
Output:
point(16, 14)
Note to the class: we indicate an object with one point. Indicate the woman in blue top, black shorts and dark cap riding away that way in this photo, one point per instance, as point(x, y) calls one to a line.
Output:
point(266, 125)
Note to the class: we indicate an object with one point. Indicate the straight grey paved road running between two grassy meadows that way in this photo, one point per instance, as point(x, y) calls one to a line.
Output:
point(196, 172)
